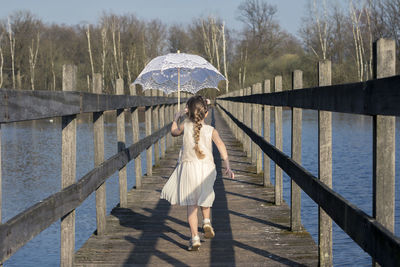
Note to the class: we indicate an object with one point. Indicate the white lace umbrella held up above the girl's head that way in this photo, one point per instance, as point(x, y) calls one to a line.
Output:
point(177, 72)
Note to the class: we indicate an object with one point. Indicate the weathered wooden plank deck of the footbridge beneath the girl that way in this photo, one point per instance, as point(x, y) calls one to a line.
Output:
point(250, 230)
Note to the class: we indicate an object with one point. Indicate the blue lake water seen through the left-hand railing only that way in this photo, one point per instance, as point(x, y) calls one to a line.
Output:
point(31, 153)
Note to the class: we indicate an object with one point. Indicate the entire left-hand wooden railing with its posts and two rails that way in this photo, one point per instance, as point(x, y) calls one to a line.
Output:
point(18, 105)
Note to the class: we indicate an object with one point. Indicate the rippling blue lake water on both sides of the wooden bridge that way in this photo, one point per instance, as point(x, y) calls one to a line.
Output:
point(31, 153)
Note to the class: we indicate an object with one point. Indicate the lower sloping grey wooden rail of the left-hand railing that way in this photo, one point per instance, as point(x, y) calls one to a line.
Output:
point(20, 229)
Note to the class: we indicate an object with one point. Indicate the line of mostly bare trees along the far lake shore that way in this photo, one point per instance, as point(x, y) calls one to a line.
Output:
point(119, 46)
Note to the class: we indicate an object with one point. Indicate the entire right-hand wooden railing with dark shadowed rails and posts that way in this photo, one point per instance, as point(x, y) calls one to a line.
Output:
point(378, 98)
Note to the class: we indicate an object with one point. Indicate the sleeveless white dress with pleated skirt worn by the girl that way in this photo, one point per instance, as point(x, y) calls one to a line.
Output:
point(193, 179)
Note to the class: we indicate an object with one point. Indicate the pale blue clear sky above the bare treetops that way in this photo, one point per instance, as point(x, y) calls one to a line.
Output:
point(168, 11)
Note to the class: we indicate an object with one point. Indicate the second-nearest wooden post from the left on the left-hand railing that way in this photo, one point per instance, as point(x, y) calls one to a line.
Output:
point(98, 132)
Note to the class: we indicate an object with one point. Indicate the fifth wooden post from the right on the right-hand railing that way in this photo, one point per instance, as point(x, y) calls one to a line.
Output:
point(267, 133)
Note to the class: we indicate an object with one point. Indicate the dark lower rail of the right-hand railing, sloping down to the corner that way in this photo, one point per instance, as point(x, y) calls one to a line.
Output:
point(369, 234)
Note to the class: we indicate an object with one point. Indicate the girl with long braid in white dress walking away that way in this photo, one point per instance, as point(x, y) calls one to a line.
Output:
point(191, 183)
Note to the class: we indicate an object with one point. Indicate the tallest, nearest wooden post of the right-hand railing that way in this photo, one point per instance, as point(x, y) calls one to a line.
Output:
point(384, 140)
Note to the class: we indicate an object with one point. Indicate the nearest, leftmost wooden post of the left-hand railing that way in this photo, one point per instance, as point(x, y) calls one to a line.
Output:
point(68, 169)
